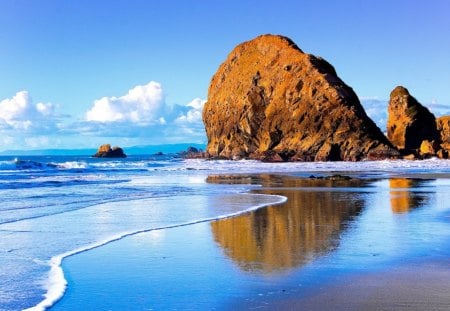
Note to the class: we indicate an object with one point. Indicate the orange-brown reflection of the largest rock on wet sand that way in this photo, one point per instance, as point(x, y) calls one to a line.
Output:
point(306, 226)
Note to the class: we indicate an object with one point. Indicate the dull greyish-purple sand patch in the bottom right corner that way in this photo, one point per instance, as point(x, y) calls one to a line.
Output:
point(412, 287)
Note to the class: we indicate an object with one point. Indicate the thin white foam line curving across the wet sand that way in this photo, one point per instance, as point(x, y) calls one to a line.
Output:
point(56, 284)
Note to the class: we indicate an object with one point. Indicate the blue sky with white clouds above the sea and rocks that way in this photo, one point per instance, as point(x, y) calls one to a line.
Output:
point(76, 74)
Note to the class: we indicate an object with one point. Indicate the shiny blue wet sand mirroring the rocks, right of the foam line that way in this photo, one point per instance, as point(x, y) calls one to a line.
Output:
point(326, 233)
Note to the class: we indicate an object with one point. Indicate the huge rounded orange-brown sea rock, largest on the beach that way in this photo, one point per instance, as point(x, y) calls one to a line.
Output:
point(270, 98)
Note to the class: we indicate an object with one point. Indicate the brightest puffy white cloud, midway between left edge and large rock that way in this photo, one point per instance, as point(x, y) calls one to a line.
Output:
point(141, 105)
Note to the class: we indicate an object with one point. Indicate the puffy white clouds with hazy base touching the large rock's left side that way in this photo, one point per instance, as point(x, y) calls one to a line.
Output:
point(143, 114)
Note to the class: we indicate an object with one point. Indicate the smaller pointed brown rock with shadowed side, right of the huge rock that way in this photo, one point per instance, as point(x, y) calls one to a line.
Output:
point(409, 123)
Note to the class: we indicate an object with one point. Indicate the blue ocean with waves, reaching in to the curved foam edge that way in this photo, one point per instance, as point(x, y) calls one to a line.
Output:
point(57, 207)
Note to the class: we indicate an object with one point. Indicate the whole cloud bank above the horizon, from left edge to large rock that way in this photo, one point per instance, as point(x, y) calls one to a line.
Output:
point(139, 117)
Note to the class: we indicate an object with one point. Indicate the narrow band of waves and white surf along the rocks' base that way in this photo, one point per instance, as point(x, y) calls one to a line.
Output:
point(243, 166)
